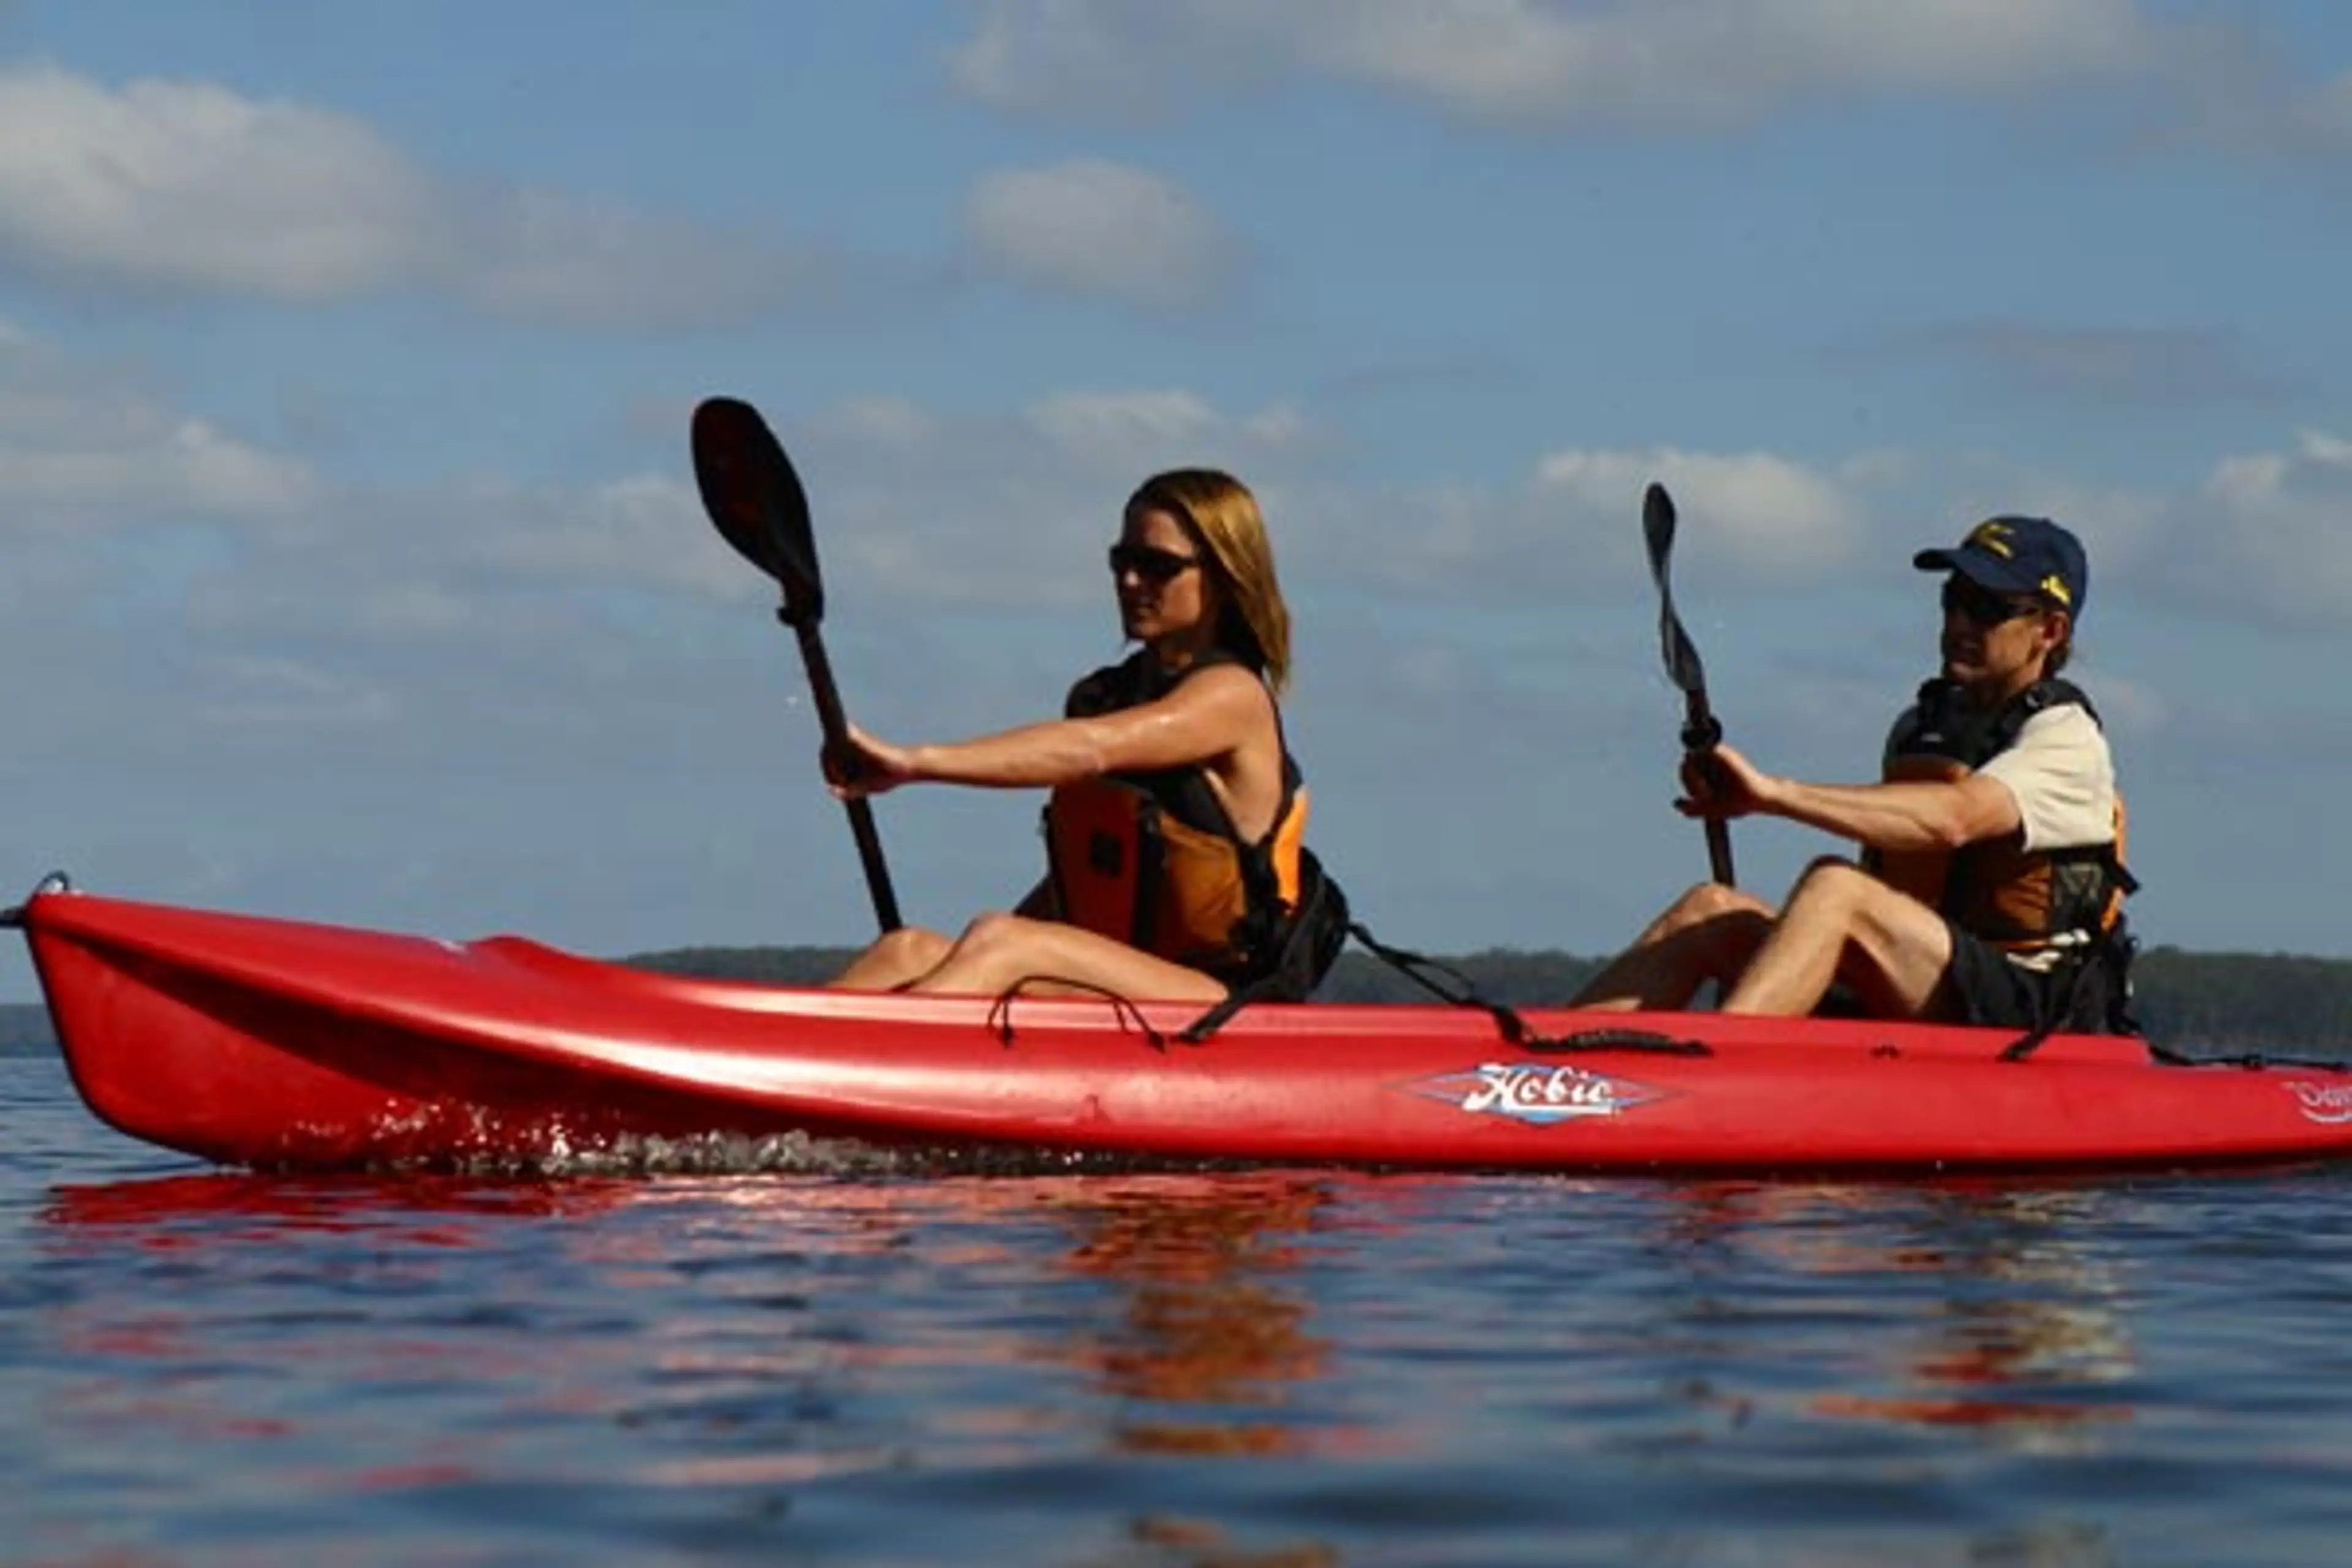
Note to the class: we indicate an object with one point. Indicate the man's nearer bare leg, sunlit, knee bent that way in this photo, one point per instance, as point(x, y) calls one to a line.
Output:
point(1847, 925)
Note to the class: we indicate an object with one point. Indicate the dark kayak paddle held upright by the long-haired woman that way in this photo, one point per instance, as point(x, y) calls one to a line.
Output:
point(756, 502)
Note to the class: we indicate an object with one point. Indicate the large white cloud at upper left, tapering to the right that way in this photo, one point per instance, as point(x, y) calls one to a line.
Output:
point(192, 187)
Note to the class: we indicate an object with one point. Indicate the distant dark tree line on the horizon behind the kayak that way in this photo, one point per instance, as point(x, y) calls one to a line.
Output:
point(2200, 1003)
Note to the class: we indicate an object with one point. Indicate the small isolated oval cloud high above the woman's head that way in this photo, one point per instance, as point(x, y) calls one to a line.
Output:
point(1102, 229)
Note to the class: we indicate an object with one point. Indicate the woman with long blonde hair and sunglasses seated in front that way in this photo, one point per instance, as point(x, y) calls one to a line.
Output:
point(1175, 817)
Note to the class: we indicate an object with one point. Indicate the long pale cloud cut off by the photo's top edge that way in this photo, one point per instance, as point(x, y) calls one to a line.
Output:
point(1678, 62)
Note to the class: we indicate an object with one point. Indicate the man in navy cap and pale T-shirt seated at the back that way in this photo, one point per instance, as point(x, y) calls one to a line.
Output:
point(1991, 880)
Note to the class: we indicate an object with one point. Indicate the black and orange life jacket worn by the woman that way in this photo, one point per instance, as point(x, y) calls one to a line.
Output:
point(1154, 859)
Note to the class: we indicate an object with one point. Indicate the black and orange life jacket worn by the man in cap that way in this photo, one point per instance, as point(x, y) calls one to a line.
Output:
point(1996, 890)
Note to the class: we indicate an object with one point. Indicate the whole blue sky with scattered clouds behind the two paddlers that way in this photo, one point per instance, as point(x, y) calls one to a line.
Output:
point(352, 563)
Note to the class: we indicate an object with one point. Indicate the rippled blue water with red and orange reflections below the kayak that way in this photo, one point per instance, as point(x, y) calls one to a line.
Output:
point(1147, 1372)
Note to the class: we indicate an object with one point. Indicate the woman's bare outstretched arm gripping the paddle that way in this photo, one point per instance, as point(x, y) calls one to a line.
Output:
point(1201, 721)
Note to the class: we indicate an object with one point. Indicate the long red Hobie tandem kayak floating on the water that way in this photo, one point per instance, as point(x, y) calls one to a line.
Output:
point(298, 1045)
